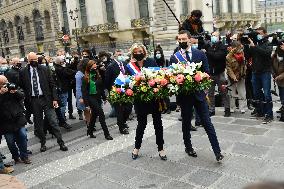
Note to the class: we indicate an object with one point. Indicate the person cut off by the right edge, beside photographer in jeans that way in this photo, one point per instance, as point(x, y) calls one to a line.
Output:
point(278, 74)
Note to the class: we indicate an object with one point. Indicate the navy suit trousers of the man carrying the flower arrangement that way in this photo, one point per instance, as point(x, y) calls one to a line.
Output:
point(201, 108)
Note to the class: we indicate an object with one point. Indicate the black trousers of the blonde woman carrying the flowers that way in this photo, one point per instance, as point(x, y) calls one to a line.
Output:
point(158, 126)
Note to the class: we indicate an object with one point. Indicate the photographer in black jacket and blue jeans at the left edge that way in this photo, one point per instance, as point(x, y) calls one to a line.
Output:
point(13, 120)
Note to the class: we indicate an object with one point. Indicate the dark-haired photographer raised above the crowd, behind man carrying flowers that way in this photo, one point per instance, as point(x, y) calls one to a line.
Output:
point(193, 24)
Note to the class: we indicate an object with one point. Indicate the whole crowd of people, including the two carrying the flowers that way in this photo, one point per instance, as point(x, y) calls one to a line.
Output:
point(44, 87)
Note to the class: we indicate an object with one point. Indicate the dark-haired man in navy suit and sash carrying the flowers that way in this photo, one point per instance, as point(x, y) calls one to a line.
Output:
point(196, 100)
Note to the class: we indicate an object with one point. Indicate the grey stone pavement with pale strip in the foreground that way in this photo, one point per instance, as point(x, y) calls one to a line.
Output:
point(253, 152)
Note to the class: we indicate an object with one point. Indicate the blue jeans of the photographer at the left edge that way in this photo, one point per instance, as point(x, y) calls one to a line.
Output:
point(18, 137)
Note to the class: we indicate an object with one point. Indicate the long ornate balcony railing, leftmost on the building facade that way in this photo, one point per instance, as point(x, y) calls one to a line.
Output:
point(101, 28)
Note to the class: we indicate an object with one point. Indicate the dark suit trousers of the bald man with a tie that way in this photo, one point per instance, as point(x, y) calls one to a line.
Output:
point(40, 106)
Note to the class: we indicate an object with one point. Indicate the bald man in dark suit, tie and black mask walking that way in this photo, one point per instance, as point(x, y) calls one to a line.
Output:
point(40, 92)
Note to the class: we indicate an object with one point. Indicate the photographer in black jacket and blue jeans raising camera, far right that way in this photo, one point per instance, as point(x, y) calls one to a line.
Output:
point(261, 75)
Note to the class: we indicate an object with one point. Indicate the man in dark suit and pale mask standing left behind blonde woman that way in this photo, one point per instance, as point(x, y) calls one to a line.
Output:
point(123, 111)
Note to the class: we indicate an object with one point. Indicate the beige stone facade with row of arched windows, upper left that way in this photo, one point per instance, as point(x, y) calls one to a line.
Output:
point(28, 25)
